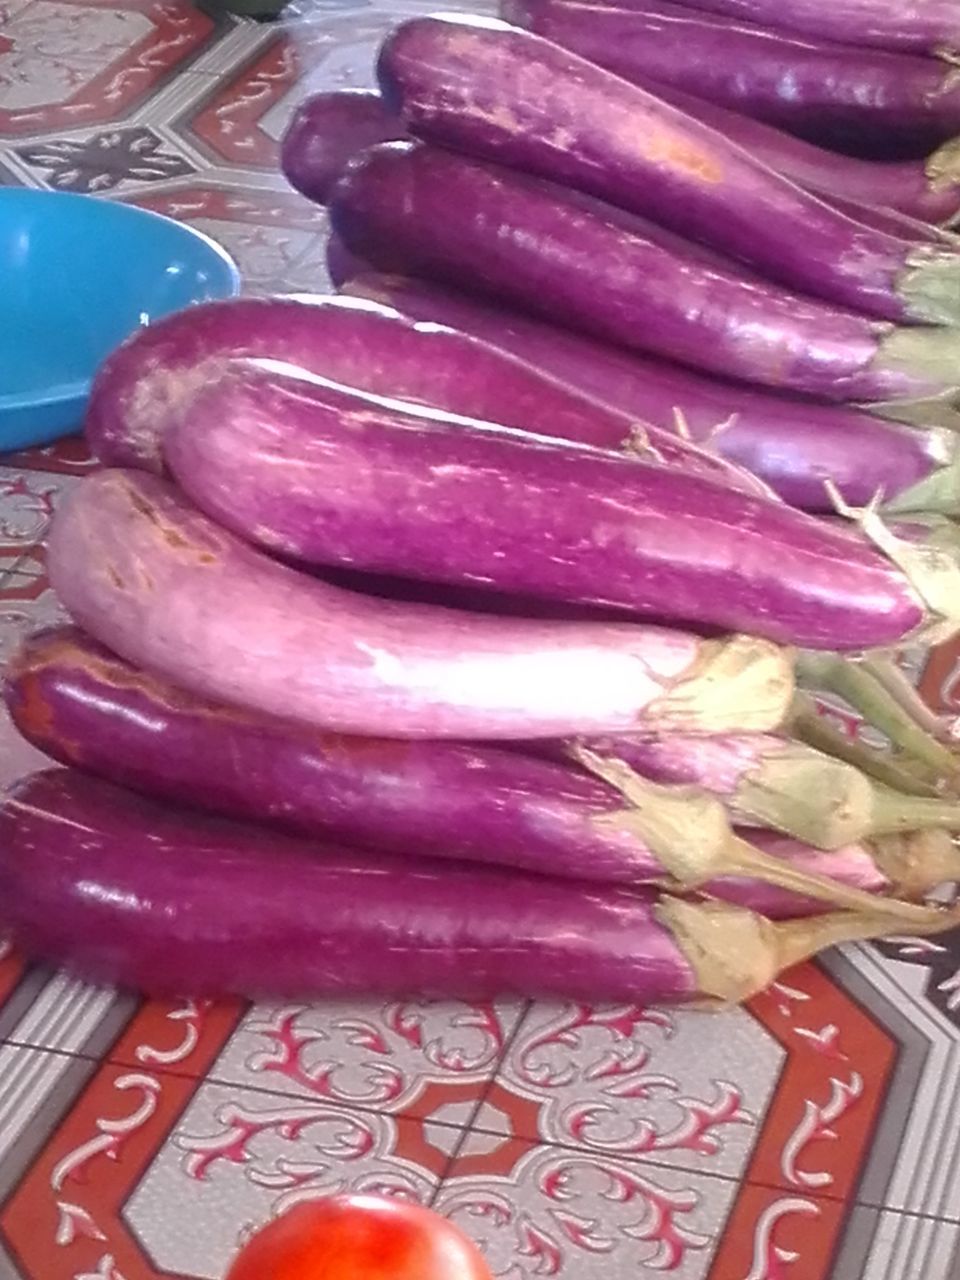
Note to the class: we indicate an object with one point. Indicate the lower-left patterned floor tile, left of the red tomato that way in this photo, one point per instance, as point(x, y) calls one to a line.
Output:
point(150, 1174)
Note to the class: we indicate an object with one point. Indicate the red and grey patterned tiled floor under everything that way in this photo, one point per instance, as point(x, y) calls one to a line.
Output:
point(815, 1135)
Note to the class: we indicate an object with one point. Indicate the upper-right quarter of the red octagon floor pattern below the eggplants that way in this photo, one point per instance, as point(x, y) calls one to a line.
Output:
point(787, 1092)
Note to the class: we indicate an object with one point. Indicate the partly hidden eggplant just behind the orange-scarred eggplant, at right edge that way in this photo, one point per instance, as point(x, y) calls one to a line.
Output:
point(929, 191)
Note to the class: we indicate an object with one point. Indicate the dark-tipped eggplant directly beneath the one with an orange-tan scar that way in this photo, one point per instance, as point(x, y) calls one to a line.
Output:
point(486, 228)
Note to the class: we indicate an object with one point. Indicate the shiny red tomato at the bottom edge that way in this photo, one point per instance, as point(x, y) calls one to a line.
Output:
point(360, 1238)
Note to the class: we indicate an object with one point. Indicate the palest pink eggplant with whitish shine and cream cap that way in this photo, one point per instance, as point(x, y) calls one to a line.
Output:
point(172, 592)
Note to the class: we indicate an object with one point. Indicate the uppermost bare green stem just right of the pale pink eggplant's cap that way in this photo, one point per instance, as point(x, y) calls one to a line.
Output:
point(858, 687)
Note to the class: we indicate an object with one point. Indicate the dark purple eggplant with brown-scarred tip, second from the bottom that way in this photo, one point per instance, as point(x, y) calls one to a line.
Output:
point(476, 803)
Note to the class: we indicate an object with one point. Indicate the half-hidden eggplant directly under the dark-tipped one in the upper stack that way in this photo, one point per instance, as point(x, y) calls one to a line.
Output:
point(796, 446)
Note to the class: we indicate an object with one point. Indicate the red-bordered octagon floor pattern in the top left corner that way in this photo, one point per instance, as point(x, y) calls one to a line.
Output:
point(71, 63)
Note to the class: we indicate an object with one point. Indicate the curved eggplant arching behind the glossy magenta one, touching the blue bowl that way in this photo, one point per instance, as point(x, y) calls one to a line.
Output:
point(374, 349)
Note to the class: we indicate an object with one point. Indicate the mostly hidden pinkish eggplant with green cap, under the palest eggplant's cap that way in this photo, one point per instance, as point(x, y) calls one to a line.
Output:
point(770, 781)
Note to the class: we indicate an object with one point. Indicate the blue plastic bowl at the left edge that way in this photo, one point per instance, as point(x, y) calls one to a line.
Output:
point(79, 275)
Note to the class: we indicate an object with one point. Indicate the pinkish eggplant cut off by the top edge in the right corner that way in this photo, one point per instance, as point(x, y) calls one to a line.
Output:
point(918, 26)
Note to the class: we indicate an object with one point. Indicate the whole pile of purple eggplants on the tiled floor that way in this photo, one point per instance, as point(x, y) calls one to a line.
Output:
point(456, 636)
